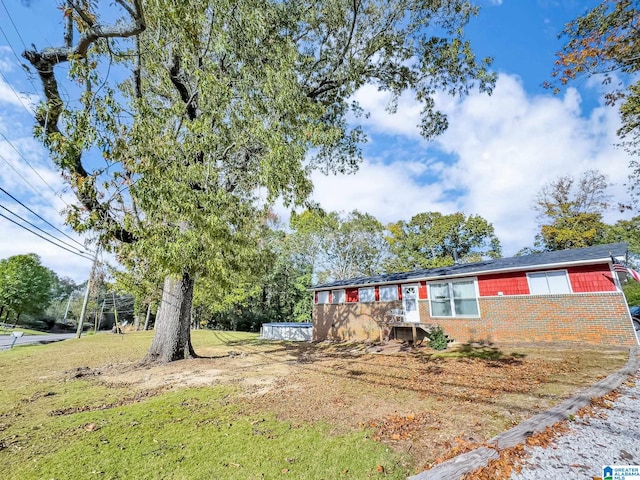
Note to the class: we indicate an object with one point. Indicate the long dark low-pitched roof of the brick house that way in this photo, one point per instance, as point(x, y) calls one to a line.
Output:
point(575, 256)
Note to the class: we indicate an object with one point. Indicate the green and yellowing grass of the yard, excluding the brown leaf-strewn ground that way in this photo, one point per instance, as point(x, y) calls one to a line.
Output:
point(58, 424)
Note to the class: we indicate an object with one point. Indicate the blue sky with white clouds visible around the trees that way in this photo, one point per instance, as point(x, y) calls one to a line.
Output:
point(497, 154)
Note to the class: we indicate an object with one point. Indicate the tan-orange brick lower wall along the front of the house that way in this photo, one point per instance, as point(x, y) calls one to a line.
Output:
point(595, 319)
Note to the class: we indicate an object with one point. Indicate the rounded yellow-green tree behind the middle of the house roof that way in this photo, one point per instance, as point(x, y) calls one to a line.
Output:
point(432, 240)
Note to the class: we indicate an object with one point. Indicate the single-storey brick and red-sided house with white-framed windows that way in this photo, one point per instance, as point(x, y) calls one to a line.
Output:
point(564, 296)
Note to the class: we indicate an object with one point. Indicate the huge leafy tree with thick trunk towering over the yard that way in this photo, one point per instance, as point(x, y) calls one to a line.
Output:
point(225, 107)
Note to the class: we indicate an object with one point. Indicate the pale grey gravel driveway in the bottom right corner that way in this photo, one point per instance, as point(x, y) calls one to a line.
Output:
point(613, 439)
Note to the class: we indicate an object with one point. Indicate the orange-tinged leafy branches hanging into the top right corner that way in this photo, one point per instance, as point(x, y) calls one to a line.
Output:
point(604, 42)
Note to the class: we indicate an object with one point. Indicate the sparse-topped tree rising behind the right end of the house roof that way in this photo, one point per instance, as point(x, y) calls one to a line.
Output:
point(570, 212)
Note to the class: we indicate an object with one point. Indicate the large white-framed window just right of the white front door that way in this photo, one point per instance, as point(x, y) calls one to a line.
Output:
point(453, 299)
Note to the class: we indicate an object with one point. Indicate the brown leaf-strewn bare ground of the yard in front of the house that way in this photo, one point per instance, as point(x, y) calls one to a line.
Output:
point(432, 405)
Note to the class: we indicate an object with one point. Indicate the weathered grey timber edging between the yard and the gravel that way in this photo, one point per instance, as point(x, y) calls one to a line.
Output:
point(467, 462)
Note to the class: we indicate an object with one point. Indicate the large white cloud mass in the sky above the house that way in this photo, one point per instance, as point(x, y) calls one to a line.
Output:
point(504, 149)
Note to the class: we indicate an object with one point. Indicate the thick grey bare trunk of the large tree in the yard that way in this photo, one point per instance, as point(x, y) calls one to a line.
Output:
point(172, 340)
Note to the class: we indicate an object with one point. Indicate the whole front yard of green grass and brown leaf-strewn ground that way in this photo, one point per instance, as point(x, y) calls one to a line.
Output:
point(255, 409)
